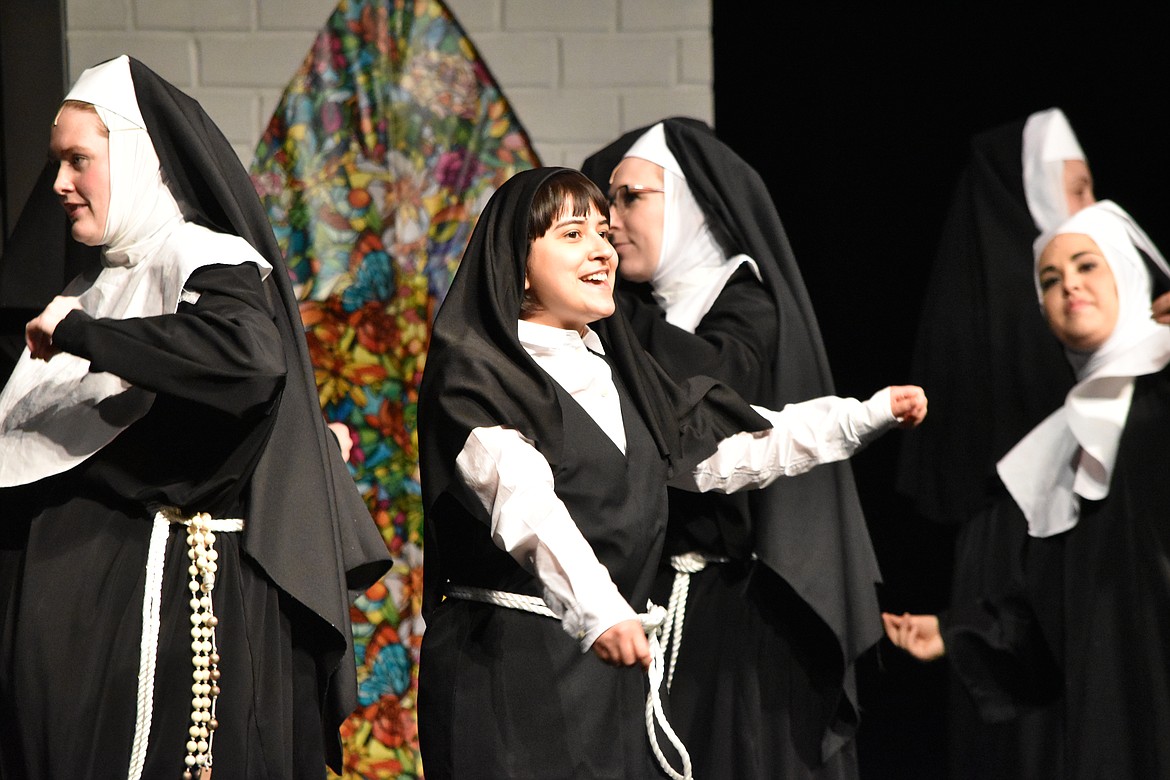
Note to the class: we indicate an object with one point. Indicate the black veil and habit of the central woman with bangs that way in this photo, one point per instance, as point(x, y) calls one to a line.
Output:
point(504, 693)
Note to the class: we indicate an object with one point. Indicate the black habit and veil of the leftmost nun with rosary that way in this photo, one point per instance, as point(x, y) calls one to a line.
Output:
point(236, 430)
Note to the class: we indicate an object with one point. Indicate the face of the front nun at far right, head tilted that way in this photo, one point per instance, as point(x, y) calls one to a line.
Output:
point(1079, 292)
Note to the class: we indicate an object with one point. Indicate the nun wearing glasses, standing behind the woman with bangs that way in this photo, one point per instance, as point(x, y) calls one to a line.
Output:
point(788, 603)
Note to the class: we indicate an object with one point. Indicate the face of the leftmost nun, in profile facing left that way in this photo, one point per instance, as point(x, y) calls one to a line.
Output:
point(80, 143)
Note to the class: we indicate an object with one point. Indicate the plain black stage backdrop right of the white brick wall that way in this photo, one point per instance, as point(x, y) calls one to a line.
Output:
point(859, 121)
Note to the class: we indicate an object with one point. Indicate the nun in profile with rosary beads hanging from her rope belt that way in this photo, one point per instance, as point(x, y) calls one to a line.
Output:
point(181, 539)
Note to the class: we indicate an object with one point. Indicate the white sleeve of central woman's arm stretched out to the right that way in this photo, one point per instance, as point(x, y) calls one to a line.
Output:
point(803, 436)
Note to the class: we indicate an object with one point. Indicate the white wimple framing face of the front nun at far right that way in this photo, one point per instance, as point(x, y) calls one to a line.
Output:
point(1071, 455)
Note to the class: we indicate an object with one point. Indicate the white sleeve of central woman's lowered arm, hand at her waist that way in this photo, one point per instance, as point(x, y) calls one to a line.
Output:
point(514, 482)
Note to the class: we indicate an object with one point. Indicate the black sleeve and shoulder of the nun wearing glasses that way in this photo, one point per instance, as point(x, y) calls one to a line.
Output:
point(734, 342)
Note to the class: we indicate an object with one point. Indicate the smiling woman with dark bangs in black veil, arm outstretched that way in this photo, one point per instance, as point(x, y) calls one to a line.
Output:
point(547, 444)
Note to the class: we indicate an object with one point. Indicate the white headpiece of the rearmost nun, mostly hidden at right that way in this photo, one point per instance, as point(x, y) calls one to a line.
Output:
point(1049, 141)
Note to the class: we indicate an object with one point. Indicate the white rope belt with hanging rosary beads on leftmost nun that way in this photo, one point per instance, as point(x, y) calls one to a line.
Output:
point(202, 531)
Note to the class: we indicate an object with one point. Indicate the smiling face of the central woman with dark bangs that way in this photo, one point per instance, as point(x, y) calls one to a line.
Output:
point(572, 272)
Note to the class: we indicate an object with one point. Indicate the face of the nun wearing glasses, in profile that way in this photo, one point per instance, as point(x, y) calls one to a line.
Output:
point(636, 218)
